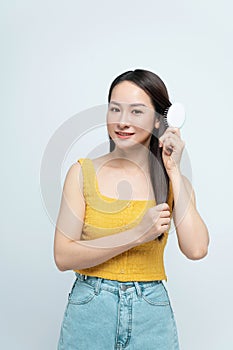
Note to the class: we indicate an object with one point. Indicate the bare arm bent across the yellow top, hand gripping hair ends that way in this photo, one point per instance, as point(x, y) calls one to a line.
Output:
point(71, 253)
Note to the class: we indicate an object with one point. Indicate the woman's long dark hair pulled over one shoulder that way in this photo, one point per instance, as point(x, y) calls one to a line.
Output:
point(157, 91)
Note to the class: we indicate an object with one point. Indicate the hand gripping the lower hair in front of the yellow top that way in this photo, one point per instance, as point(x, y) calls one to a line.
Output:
point(155, 222)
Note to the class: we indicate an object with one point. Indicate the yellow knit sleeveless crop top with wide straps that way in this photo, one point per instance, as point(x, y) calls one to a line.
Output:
point(105, 216)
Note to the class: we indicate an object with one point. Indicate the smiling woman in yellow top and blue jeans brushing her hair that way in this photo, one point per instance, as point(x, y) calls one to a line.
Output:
point(113, 225)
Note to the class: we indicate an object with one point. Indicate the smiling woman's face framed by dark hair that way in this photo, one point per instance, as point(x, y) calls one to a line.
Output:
point(131, 116)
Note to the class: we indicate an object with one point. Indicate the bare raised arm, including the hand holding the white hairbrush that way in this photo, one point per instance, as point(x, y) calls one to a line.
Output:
point(191, 230)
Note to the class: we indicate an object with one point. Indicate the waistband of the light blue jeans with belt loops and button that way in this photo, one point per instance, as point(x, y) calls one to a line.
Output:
point(114, 286)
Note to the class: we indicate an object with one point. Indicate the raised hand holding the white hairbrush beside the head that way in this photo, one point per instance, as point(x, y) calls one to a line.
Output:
point(173, 147)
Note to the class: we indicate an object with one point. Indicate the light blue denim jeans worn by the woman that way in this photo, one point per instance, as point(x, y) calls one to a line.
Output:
point(111, 315)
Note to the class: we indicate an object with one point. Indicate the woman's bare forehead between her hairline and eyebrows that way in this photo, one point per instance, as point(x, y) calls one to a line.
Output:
point(128, 92)
